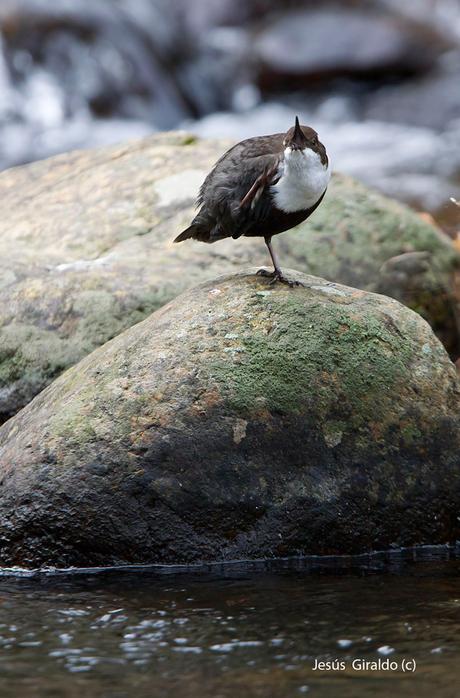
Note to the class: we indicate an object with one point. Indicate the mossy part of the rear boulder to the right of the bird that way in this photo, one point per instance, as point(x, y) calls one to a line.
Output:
point(361, 238)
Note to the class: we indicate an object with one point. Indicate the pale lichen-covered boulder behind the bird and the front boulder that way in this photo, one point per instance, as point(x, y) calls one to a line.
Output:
point(86, 251)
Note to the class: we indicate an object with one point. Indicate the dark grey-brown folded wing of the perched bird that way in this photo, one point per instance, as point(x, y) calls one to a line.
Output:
point(232, 194)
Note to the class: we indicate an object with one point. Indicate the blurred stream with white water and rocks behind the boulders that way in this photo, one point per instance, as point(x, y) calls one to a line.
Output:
point(378, 79)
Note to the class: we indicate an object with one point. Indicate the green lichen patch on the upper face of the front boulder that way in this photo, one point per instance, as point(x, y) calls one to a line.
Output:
point(360, 356)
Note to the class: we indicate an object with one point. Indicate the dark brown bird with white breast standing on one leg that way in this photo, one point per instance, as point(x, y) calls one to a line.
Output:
point(261, 187)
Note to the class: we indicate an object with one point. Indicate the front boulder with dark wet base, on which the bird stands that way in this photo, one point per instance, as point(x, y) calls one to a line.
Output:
point(241, 420)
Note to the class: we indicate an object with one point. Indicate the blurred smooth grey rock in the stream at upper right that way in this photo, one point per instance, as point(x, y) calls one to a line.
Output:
point(330, 42)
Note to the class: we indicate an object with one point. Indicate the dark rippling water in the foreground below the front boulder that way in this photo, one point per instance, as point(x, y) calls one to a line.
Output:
point(244, 630)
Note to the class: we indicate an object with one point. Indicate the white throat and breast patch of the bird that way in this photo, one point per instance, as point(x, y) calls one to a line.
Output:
point(303, 180)
